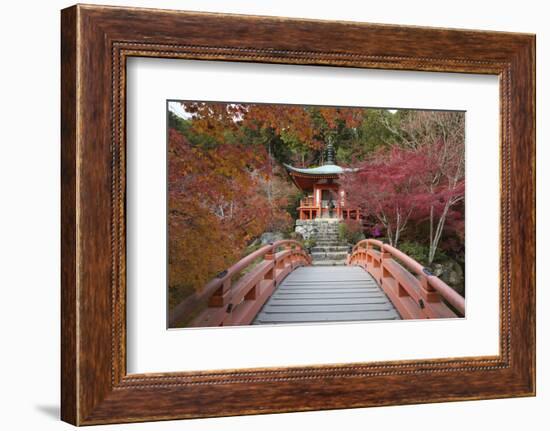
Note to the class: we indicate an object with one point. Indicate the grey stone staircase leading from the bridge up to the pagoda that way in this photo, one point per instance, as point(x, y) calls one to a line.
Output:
point(328, 250)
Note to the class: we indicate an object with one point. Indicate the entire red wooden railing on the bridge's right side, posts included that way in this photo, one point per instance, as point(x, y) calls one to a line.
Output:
point(414, 291)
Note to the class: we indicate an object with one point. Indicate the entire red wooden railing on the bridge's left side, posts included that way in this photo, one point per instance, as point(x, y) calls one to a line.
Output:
point(236, 302)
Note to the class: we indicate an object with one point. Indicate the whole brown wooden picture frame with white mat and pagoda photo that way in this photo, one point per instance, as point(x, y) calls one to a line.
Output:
point(264, 215)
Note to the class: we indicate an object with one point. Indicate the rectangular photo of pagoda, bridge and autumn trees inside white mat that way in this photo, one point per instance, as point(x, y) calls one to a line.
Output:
point(281, 214)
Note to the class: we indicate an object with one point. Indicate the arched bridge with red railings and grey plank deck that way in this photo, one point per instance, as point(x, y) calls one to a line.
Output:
point(277, 284)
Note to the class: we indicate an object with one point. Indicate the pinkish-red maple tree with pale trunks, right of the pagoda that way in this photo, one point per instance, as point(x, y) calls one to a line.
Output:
point(420, 178)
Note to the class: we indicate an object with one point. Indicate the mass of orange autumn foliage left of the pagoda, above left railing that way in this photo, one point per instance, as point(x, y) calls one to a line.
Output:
point(216, 206)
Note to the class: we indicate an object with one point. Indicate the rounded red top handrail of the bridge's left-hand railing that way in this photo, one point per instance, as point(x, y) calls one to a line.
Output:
point(223, 279)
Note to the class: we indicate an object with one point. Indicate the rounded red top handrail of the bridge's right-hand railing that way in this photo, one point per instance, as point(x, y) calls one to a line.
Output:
point(432, 281)
